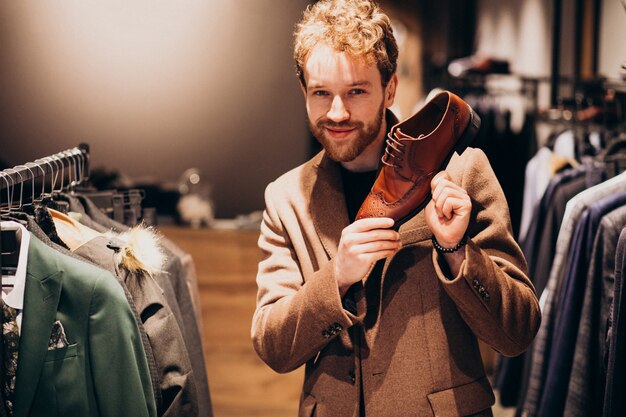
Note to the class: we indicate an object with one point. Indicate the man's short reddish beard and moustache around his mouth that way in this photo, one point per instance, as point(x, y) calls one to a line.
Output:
point(348, 150)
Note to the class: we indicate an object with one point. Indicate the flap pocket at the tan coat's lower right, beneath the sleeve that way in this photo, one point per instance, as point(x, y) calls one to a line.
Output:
point(463, 400)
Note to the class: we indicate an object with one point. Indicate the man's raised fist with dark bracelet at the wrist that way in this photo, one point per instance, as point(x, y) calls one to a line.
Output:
point(448, 215)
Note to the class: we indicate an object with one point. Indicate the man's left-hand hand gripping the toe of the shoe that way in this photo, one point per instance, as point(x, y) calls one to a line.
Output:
point(362, 244)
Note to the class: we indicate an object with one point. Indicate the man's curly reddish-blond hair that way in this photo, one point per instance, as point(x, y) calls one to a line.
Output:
point(357, 27)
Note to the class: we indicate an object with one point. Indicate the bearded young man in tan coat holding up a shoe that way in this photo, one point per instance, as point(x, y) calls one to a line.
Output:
point(386, 324)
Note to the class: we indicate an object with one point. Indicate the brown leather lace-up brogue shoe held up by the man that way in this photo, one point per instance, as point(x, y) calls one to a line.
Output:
point(417, 149)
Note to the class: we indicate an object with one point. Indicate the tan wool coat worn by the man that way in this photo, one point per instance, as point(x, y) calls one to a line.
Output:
point(412, 344)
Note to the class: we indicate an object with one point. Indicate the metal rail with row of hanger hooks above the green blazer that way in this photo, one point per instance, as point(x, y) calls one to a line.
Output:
point(66, 168)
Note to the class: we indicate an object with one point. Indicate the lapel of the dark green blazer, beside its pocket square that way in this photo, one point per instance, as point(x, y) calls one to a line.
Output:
point(41, 298)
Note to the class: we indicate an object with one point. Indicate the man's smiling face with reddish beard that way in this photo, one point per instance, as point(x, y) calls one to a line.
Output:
point(345, 102)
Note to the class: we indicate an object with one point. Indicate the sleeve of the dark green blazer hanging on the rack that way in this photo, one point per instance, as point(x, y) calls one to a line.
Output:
point(120, 370)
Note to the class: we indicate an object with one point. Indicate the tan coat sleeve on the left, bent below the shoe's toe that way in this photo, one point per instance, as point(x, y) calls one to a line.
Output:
point(294, 319)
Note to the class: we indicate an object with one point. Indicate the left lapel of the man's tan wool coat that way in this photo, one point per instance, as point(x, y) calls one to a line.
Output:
point(328, 204)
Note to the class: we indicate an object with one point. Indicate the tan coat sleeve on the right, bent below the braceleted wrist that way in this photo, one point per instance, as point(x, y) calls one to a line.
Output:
point(492, 291)
